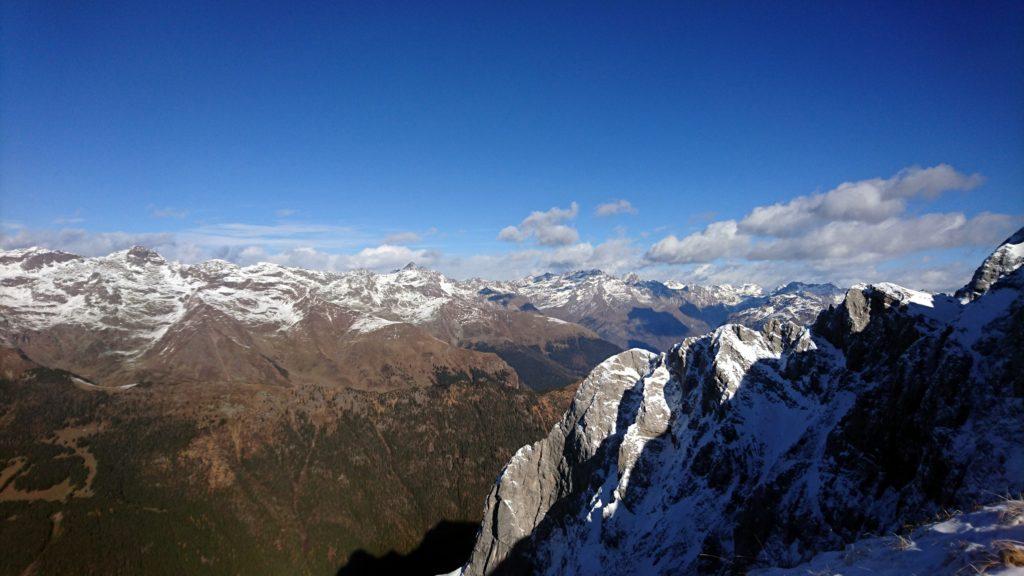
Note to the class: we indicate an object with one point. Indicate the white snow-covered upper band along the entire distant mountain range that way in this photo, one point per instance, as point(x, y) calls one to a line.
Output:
point(138, 297)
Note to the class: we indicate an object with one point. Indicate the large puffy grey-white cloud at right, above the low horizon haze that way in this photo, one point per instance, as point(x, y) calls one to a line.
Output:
point(857, 222)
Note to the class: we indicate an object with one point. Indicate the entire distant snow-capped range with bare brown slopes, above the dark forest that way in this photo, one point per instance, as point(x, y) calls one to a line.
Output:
point(134, 317)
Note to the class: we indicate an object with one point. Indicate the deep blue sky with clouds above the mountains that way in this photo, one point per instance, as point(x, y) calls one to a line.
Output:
point(345, 135)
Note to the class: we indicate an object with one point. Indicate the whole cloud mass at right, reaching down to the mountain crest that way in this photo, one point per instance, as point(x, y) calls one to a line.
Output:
point(858, 232)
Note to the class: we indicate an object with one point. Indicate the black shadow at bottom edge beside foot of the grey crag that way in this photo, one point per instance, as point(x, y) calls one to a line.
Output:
point(444, 549)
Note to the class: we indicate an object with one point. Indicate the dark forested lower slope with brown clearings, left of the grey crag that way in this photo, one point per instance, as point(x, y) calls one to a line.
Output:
point(237, 478)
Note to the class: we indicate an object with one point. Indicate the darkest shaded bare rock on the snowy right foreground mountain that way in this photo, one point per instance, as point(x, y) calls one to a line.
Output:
point(885, 442)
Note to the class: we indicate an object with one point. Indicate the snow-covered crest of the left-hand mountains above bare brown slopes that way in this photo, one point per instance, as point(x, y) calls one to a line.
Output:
point(140, 295)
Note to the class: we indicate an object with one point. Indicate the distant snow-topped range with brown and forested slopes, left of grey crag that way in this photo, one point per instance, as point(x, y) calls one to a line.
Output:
point(224, 419)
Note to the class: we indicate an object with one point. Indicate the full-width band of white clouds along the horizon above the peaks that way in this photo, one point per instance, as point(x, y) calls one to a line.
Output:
point(862, 231)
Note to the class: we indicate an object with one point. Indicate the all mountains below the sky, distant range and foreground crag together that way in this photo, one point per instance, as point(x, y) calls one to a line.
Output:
point(221, 419)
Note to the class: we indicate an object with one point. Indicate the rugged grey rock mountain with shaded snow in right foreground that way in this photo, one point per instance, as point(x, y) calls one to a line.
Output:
point(748, 448)
